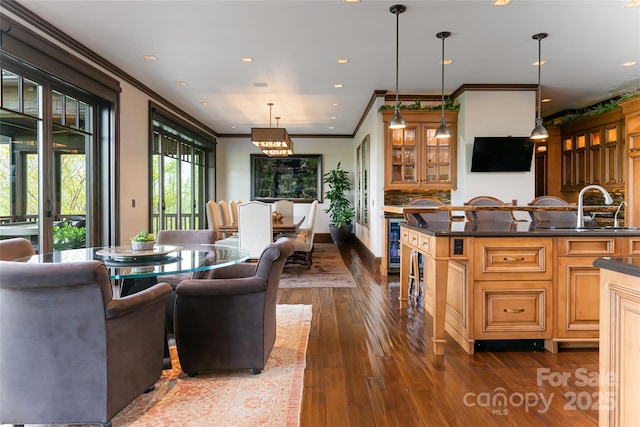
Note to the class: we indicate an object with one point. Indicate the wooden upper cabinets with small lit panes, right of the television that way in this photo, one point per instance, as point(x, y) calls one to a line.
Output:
point(593, 152)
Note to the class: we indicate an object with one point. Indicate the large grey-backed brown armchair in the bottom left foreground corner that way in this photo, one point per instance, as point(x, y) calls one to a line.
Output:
point(69, 352)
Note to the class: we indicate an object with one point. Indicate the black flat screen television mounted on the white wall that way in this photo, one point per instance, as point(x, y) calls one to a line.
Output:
point(502, 154)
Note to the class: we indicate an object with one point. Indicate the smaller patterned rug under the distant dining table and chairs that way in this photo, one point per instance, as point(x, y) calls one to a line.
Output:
point(327, 270)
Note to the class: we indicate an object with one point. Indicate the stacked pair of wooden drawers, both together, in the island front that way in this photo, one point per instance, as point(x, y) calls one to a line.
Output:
point(513, 288)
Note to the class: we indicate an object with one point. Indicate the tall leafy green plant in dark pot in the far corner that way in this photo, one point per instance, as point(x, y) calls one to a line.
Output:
point(340, 210)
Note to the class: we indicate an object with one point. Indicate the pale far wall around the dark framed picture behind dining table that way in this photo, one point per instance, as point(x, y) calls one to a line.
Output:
point(233, 174)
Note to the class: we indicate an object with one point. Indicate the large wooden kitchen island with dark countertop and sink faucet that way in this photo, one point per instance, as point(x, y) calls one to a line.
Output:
point(511, 281)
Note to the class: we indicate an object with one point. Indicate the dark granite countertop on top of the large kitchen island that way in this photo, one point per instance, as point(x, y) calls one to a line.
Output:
point(518, 229)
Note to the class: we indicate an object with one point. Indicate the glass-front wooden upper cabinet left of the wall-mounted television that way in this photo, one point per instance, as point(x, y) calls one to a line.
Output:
point(414, 157)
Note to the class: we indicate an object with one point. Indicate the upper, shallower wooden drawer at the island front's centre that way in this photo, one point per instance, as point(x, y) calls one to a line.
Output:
point(502, 259)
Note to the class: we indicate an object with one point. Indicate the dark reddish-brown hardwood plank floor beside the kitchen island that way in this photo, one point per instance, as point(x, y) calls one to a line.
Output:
point(371, 363)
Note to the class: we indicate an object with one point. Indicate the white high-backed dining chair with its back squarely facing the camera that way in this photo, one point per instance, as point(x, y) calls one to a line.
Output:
point(255, 227)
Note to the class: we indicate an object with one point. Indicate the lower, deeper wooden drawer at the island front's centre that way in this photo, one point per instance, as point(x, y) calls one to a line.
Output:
point(513, 311)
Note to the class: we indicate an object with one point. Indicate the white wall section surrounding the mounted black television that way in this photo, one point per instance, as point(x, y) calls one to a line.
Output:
point(499, 113)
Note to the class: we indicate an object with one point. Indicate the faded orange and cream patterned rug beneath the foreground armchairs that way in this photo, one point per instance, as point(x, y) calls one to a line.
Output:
point(232, 399)
